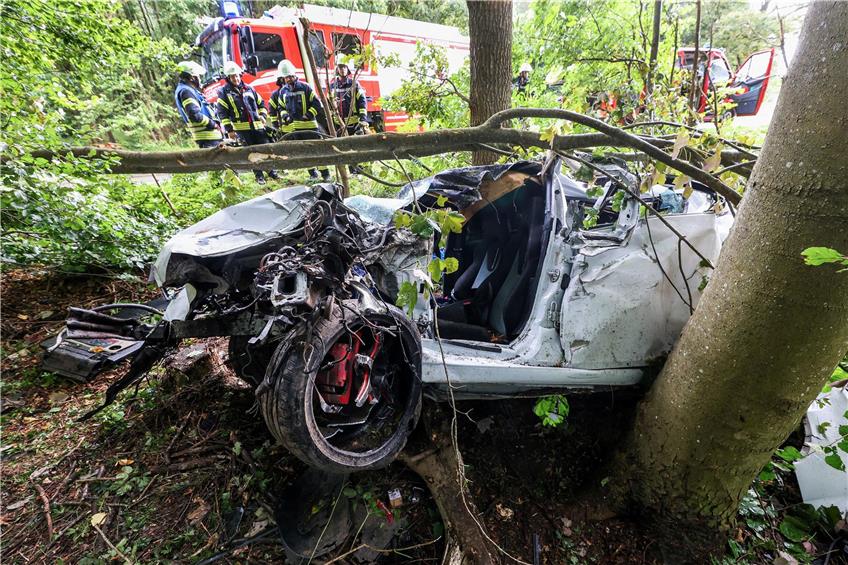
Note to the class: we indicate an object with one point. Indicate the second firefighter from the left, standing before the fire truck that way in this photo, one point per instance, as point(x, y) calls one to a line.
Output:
point(243, 113)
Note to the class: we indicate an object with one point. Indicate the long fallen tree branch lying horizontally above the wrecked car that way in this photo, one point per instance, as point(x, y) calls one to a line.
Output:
point(350, 150)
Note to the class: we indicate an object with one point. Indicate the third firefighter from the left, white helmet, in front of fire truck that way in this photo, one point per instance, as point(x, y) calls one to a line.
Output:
point(295, 108)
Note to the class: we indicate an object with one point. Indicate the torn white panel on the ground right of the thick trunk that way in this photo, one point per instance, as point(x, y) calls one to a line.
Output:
point(821, 484)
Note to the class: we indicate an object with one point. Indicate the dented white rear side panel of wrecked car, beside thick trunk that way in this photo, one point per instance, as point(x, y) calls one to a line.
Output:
point(619, 309)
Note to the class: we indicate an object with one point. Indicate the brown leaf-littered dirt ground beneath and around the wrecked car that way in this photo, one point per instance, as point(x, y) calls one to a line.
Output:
point(184, 470)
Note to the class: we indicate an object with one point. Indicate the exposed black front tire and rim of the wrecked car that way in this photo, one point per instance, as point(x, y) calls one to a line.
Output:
point(356, 438)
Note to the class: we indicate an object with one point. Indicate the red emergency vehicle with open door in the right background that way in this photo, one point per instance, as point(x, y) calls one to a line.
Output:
point(750, 79)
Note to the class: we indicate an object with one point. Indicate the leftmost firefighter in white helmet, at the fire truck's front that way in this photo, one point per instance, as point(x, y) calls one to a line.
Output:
point(196, 112)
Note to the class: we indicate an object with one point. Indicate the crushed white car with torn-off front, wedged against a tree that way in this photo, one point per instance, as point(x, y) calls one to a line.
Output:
point(305, 286)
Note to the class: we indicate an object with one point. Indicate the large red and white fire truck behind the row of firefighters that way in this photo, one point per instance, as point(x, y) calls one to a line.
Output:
point(259, 44)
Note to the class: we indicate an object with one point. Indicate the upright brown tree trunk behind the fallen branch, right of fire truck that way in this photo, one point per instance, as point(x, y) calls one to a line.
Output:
point(490, 30)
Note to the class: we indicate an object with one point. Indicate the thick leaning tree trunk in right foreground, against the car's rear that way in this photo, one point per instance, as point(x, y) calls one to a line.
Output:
point(769, 329)
